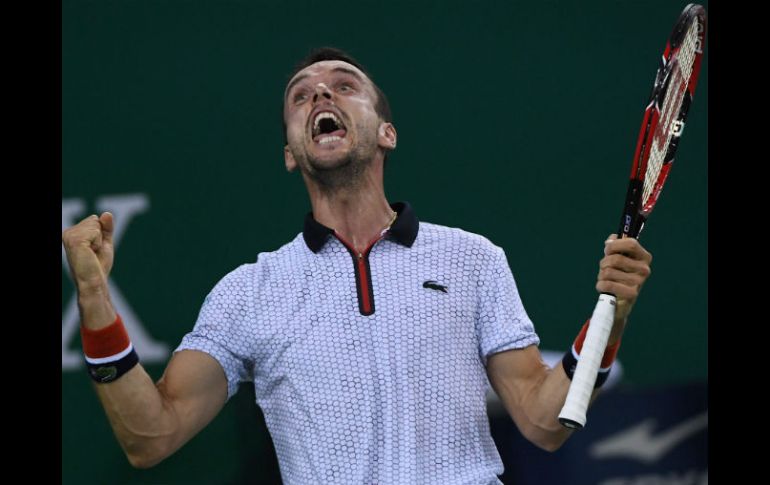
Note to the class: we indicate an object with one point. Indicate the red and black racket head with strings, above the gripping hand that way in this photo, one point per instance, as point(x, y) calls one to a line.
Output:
point(664, 118)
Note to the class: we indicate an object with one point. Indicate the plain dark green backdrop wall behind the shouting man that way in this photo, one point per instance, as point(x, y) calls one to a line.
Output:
point(516, 120)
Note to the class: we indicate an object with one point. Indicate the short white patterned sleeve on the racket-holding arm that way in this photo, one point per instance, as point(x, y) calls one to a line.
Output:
point(502, 323)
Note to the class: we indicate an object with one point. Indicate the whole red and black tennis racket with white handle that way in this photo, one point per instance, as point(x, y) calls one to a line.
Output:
point(662, 127)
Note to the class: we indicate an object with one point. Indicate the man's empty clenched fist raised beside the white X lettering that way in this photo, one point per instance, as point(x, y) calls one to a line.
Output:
point(90, 251)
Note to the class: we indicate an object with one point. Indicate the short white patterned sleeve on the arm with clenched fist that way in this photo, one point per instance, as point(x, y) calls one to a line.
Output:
point(222, 327)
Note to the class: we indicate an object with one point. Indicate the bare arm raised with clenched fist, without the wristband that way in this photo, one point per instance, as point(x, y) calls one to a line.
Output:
point(150, 420)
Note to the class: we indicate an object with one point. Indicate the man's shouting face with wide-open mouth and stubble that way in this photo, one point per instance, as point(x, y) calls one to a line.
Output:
point(331, 121)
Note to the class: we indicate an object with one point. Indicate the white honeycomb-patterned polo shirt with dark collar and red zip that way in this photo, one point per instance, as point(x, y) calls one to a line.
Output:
point(370, 368)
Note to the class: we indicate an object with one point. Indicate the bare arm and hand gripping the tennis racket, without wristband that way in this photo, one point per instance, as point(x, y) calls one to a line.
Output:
point(532, 393)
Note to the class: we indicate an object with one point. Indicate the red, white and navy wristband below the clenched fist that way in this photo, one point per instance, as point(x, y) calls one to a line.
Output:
point(108, 351)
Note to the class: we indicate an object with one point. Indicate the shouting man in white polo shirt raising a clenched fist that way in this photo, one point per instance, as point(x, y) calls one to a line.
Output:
point(371, 338)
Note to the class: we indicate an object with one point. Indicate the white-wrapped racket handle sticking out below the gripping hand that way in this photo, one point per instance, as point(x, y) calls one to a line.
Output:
point(573, 414)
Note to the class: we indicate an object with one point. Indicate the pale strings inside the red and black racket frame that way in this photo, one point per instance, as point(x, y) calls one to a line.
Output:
point(671, 105)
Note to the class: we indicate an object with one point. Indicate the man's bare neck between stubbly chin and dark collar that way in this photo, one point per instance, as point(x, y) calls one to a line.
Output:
point(357, 213)
